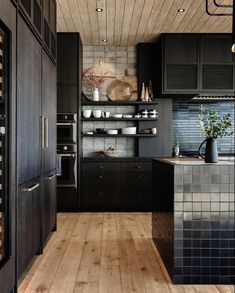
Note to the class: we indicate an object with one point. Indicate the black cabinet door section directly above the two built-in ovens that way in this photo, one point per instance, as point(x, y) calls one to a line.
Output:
point(69, 72)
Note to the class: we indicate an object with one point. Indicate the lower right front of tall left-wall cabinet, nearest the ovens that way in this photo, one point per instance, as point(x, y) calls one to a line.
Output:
point(48, 204)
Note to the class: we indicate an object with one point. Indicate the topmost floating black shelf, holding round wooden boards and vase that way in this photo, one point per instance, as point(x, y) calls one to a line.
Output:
point(117, 103)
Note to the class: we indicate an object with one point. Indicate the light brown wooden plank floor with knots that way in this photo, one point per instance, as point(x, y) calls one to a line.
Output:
point(104, 253)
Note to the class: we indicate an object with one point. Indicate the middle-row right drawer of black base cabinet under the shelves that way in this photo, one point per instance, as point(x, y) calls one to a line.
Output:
point(136, 179)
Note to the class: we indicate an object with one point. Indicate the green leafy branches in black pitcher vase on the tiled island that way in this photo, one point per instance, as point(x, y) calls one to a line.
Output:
point(212, 127)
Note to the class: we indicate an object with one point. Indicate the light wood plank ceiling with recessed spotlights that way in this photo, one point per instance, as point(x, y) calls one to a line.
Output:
point(128, 22)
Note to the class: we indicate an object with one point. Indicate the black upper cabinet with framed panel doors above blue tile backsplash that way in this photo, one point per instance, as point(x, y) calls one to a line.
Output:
point(191, 64)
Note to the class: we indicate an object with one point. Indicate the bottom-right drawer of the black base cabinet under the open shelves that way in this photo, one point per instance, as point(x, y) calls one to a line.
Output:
point(135, 197)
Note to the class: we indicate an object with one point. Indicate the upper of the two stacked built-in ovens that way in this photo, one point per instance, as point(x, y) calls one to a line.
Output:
point(66, 128)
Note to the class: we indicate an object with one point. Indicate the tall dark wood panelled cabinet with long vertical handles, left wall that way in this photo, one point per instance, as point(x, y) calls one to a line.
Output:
point(36, 135)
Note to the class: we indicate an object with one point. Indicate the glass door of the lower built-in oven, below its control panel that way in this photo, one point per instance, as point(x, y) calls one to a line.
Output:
point(67, 170)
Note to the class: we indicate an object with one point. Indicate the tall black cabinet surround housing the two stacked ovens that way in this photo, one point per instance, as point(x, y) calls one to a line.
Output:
point(69, 92)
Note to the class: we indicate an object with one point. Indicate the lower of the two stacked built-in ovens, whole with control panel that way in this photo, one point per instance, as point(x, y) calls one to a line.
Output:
point(66, 166)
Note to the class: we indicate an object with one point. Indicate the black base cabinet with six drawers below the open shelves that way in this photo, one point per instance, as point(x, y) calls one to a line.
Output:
point(116, 185)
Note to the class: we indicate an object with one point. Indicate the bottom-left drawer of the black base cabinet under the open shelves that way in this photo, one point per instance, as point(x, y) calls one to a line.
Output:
point(99, 197)
